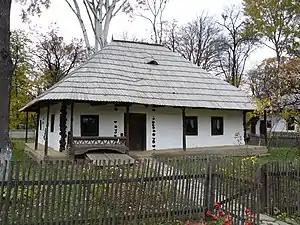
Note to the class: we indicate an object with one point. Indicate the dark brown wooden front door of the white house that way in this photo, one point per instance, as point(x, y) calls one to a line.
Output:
point(137, 131)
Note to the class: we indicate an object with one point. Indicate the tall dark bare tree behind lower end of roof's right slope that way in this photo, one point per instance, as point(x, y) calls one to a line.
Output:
point(235, 45)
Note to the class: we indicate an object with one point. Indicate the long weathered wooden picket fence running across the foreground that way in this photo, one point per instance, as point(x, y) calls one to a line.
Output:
point(148, 191)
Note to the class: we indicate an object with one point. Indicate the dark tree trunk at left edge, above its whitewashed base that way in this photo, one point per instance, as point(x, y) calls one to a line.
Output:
point(5, 70)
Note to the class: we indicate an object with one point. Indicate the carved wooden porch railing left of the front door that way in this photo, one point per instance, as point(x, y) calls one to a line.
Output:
point(81, 145)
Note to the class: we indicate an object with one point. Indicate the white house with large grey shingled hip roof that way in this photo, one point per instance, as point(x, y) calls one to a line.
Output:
point(142, 96)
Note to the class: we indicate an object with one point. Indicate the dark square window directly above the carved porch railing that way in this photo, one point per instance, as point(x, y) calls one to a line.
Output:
point(89, 125)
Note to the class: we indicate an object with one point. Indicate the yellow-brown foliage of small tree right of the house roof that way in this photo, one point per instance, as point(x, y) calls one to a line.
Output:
point(276, 85)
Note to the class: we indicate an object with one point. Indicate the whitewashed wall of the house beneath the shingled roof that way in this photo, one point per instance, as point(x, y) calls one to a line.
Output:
point(168, 124)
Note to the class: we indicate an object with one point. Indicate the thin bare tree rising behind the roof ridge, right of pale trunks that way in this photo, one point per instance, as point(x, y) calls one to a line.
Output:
point(155, 8)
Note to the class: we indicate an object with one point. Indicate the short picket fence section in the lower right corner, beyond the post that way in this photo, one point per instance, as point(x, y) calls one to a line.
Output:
point(280, 192)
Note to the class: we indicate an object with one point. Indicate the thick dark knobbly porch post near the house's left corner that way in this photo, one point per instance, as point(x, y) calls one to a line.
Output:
point(63, 126)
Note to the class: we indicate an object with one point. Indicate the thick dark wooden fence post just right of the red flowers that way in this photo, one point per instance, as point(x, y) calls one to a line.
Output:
point(262, 179)
